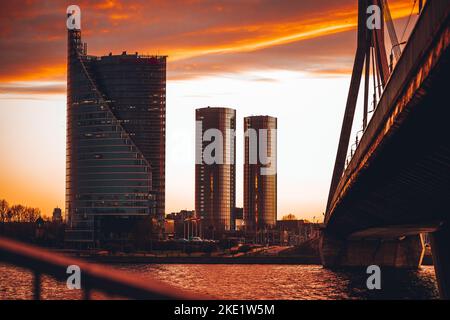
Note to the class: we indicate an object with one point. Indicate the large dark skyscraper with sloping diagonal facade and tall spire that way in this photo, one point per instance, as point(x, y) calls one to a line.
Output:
point(115, 181)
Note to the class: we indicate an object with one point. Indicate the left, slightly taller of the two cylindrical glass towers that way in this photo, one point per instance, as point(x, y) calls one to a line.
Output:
point(215, 183)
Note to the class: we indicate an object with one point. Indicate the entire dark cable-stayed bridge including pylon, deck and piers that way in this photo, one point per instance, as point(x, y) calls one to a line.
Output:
point(395, 184)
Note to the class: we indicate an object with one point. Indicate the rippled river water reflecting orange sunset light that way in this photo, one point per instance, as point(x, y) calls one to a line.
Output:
point(248, 282)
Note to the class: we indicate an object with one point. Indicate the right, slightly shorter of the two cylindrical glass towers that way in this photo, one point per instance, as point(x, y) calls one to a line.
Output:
point(260, 177)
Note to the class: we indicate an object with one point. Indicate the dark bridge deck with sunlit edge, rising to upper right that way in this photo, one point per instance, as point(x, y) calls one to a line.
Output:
point(400, 172)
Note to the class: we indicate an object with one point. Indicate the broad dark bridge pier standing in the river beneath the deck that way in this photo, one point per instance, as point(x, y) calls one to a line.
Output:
point(405, 252)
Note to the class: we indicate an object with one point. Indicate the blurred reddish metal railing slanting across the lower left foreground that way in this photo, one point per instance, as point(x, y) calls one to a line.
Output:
point(93, 277)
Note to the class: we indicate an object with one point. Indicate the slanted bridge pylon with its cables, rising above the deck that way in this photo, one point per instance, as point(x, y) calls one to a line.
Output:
point(372, 58)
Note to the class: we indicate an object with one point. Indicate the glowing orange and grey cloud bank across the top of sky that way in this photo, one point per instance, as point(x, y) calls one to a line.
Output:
point(184, 30)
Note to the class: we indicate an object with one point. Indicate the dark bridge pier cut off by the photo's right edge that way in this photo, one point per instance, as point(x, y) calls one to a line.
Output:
point(440, 247)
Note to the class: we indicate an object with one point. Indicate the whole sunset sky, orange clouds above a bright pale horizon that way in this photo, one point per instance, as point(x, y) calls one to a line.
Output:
point(288, 59)
